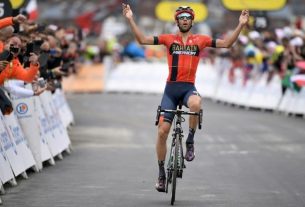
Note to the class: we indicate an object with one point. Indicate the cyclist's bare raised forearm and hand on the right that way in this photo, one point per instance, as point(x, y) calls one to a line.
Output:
point(228, 41)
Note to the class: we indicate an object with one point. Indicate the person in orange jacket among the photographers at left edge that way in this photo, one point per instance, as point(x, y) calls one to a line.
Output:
point(14, 69)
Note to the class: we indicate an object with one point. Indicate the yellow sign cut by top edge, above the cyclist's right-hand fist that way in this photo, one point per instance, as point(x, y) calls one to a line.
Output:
point(267, 5)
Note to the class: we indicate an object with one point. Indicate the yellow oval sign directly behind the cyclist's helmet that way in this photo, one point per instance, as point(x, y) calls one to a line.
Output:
point(165, 10)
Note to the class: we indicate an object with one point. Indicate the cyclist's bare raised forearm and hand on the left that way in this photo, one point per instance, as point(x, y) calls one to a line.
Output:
point(141, 38)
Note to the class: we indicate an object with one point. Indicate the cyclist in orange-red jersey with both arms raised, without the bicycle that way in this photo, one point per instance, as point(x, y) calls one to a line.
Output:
point(183, 51)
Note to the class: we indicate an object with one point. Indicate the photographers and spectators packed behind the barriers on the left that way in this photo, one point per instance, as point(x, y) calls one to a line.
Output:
point(34, 57)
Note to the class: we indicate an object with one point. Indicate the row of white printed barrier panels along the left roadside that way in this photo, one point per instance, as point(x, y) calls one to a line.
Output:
point(27, 135)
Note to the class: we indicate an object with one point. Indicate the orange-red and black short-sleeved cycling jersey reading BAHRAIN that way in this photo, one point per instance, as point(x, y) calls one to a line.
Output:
point(183, 59)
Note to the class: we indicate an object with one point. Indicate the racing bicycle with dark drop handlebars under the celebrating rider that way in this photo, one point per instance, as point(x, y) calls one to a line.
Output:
point(175, 163)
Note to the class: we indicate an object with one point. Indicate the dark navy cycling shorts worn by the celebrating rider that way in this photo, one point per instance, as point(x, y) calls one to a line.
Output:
point(174, 93)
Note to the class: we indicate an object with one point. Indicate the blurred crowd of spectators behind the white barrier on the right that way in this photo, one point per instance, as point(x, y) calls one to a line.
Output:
point(275, 52)
